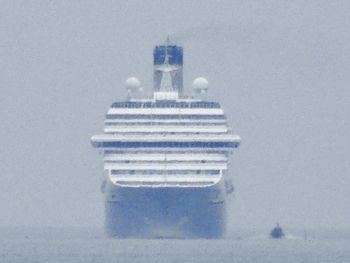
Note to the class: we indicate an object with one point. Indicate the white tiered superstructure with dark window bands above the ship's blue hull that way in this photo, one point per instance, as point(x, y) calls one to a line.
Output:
point(162, 143)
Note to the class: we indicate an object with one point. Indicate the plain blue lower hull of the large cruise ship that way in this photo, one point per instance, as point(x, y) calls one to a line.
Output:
point(165, 212)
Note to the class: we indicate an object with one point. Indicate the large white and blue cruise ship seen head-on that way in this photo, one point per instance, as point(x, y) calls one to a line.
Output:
point(166, 157)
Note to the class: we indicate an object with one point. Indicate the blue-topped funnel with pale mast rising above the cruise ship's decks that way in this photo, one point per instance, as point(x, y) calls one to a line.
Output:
point(168, 62)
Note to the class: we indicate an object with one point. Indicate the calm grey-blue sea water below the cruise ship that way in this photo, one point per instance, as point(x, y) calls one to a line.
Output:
point(89, 245)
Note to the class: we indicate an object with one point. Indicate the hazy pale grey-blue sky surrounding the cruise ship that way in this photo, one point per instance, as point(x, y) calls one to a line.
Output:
point(279, 68)
